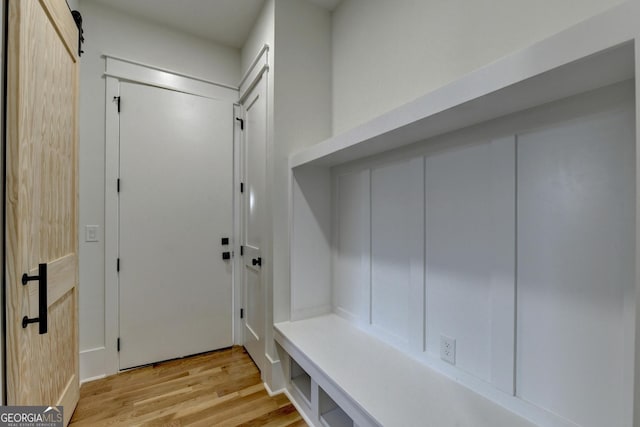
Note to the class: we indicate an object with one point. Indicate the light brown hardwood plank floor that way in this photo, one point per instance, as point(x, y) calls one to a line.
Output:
point(221, 388)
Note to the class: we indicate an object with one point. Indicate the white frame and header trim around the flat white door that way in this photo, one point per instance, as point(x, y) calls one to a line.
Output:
point(117, 70)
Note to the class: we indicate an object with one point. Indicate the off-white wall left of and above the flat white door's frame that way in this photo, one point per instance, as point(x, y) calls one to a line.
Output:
point(111, 32)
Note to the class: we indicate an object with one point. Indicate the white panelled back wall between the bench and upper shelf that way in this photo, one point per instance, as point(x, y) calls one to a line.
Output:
point(522, 227)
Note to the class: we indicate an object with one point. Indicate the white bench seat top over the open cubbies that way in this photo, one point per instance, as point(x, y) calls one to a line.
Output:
point(376, 384)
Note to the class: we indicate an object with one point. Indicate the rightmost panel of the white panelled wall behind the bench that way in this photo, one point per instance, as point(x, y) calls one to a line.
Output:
point(575, 265)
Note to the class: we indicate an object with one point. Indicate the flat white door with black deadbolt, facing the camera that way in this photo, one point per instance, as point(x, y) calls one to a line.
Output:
point(176, 160)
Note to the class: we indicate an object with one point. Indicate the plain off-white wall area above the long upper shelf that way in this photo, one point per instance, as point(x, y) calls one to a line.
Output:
point(386, 53)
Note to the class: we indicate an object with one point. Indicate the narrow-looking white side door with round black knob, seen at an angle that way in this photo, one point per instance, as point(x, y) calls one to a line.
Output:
point(254, 159)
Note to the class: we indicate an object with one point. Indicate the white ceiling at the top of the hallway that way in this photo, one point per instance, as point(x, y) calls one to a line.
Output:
point(227, 22)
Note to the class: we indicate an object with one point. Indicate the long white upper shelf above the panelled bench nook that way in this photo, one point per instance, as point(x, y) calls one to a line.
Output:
point(592, 54)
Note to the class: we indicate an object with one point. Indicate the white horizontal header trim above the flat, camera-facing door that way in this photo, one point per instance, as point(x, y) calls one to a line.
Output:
point(126, 69)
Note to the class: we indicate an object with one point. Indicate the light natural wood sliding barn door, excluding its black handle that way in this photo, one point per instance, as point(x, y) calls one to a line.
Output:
point(41, 201)
